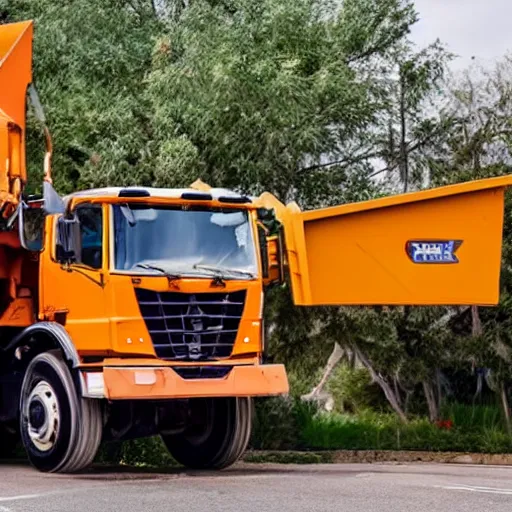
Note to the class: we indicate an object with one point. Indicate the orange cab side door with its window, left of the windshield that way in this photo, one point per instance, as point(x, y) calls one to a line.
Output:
point(75, 296)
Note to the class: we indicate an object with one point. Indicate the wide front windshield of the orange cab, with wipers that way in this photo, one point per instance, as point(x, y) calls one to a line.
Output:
point(194, 241)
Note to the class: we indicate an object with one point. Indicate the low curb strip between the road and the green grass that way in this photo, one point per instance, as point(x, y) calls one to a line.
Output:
point(376, 456)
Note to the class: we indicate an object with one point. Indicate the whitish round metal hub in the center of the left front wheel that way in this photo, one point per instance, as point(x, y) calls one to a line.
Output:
point(43, 416)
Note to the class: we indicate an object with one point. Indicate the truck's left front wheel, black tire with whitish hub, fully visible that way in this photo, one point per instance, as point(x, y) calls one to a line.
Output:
point(61, 432)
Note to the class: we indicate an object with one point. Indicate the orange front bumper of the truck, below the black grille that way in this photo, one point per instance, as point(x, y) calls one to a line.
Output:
point(160, 383)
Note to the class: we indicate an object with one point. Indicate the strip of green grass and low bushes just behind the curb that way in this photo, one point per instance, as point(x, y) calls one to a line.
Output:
point(298, 426)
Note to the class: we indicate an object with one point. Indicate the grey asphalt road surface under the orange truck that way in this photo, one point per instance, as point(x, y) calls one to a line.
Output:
point(247, 488)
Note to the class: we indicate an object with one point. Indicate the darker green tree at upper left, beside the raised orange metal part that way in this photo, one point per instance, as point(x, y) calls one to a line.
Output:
point(90, 59)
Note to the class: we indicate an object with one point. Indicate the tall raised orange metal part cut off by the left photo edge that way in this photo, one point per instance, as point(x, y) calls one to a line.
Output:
point(15, 76)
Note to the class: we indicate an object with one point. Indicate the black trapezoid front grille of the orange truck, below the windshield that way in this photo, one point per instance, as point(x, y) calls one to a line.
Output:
point(187, 326)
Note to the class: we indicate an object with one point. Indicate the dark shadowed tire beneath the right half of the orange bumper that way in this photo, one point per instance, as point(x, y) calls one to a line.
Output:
point(218, 436)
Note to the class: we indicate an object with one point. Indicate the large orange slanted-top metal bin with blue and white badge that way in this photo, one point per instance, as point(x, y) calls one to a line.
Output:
point(435, 247)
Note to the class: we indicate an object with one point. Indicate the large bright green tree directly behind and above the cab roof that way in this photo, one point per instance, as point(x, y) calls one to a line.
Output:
point(269, 94)
